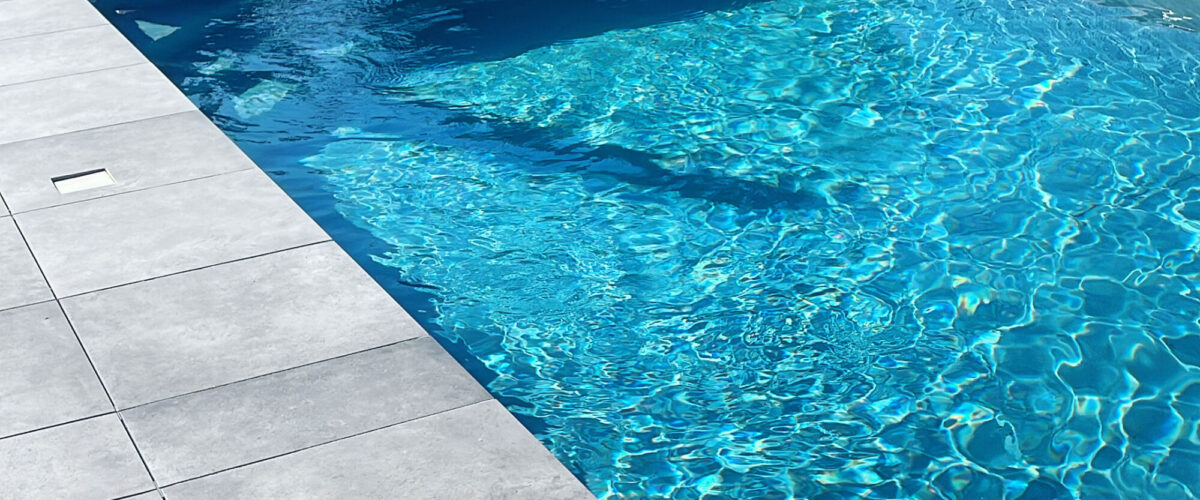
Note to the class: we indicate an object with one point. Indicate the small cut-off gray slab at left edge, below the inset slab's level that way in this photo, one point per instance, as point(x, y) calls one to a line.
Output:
point(21, 281)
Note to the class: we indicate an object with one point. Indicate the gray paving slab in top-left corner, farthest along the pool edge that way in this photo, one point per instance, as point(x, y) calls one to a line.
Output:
point(33, 17)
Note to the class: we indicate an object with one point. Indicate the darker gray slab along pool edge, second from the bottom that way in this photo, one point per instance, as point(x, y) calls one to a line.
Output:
point(291, 411)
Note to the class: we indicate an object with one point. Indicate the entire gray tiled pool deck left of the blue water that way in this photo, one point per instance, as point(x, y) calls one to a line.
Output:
point(189, 332)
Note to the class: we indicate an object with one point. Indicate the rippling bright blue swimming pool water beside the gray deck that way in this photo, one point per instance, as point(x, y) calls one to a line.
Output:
point(857, 249)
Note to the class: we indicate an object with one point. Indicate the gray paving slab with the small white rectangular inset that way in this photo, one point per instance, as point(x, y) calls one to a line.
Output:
point(139, 155)
